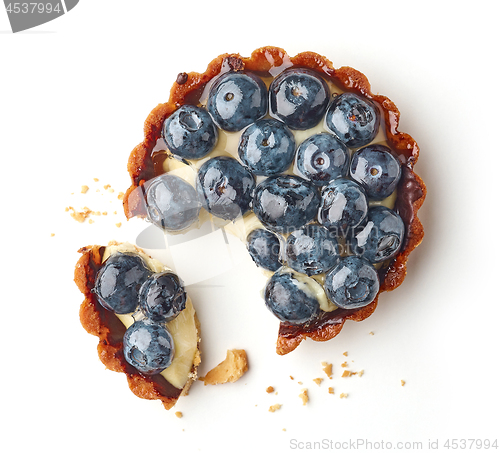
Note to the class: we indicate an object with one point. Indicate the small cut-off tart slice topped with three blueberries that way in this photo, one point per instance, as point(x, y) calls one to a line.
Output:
point(146, 324)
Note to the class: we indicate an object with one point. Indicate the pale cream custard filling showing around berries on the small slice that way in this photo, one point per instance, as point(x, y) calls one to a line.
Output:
point(183, 328)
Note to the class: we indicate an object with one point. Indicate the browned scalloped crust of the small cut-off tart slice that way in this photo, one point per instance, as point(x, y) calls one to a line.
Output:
point(102, 323)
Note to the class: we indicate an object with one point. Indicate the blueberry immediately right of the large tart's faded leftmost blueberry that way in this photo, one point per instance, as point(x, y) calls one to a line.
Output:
point(225, 187)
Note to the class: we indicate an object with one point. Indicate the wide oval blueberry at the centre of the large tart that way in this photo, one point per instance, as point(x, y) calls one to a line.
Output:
point(285, 203)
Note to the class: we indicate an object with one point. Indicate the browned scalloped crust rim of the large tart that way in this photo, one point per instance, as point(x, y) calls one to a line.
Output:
point(271, 60)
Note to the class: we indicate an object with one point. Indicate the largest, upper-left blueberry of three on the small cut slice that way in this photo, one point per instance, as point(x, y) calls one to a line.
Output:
point(118, 282)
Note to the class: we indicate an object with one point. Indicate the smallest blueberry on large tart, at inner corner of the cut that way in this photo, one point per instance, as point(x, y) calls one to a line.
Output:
point(265, 249)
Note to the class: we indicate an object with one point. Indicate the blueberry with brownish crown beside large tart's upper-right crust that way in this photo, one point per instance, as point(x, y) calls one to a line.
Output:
point(353, 119)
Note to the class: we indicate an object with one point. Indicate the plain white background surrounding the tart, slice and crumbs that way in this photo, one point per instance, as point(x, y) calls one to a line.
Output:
point(74, 95)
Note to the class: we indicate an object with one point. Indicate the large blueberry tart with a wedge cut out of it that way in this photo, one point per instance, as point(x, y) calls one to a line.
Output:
point(195, 134)
